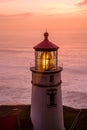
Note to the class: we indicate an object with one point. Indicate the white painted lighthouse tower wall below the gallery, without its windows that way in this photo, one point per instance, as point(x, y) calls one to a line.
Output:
point(44, 117)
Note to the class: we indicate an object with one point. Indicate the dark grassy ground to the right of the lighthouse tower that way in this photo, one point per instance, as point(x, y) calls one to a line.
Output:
point(75, 119)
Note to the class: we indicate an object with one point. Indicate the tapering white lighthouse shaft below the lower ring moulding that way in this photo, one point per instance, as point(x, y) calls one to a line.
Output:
point(46, 116)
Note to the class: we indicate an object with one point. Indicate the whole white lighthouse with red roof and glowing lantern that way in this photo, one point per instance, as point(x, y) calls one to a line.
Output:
point(46, 98)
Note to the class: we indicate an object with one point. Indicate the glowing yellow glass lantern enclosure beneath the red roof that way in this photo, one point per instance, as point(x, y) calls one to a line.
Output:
point(45, 60)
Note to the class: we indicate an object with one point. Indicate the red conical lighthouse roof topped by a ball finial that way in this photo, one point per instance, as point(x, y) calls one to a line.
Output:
point(46, 45)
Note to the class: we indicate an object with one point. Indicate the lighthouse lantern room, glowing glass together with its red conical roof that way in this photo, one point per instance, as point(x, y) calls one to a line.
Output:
point(46, 55)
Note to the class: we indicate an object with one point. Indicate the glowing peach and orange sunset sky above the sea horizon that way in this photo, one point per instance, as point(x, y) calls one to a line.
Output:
point(32, 14)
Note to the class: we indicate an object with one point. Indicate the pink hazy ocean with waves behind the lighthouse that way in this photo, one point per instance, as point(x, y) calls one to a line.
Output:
point(17, 56)
